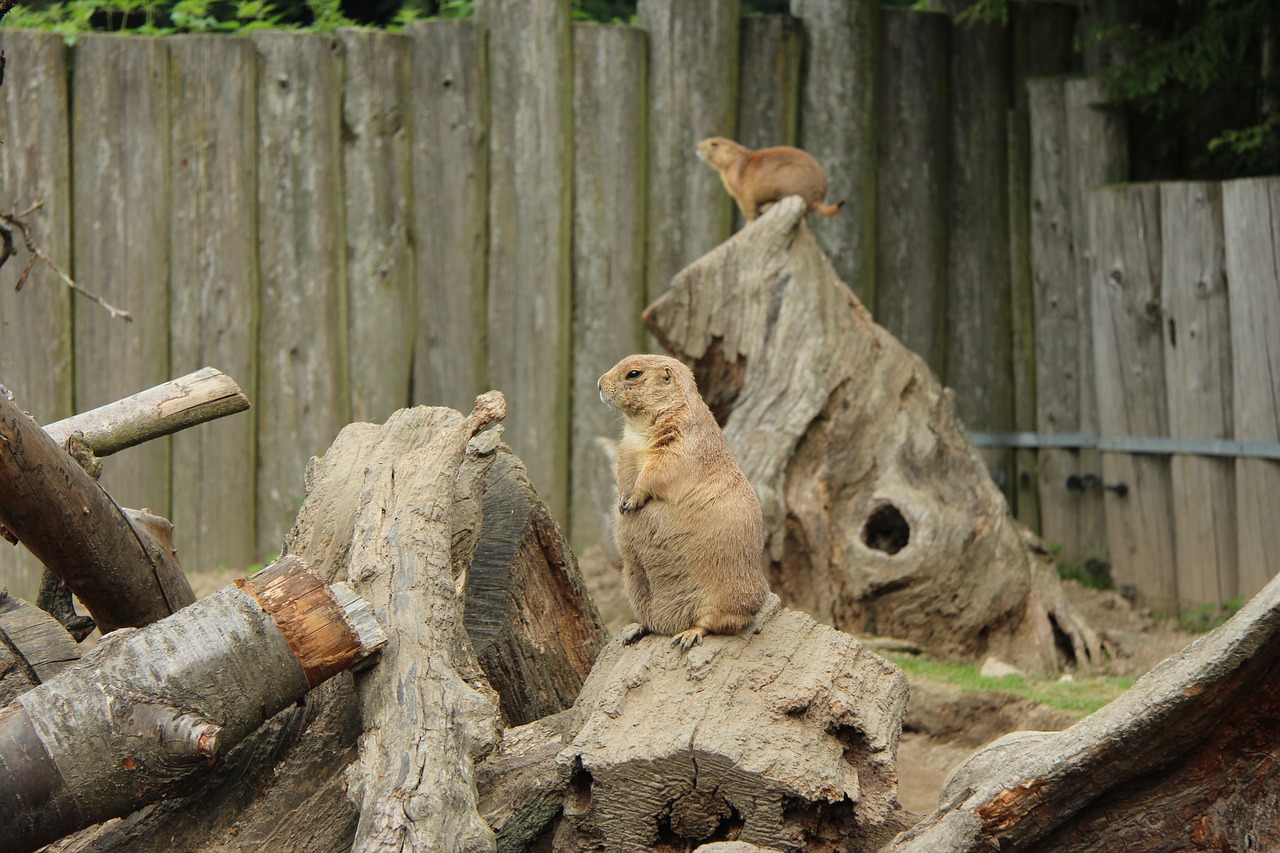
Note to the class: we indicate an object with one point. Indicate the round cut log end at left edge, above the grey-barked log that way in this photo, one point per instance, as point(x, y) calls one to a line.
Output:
point(34, 647)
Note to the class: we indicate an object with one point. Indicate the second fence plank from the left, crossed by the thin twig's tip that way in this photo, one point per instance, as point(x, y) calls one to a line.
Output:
point(121, 200)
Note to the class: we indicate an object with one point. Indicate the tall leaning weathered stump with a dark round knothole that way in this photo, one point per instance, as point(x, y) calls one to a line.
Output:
point(881, 517)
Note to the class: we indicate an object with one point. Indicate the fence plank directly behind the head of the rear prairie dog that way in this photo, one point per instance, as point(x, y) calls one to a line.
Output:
point(693, 94)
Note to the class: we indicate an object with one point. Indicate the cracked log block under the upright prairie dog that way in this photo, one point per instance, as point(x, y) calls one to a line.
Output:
point(787, 740)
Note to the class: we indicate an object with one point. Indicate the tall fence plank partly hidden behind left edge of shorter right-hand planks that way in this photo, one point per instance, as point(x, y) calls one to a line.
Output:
point(1099, 154)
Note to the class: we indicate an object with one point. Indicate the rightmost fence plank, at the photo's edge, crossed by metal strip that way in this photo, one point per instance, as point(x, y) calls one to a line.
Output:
point(1251, 221)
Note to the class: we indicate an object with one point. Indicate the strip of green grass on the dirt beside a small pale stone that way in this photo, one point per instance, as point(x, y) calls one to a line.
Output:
point(1082, 696)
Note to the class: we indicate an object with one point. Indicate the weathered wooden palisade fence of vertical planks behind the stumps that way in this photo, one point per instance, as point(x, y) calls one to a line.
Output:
point(354, 223)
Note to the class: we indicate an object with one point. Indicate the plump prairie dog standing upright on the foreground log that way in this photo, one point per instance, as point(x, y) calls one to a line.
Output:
point(688, 526)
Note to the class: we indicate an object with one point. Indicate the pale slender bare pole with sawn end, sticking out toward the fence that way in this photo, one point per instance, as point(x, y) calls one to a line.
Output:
point(202, 396)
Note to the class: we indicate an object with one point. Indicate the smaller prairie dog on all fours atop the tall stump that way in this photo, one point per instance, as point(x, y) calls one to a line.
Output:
point(760, 179)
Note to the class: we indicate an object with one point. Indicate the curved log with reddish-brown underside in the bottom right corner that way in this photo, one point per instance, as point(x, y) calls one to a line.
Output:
point(1182, 761)
